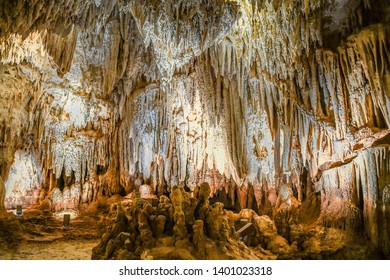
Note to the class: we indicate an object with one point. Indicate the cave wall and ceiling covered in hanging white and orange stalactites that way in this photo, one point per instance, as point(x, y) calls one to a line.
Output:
point(271, 102)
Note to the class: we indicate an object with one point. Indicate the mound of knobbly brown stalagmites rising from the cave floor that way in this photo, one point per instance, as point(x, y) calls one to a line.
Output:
point(186, 226)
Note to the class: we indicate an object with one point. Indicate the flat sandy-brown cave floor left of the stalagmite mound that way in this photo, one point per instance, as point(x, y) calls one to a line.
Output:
point(45, 238)
